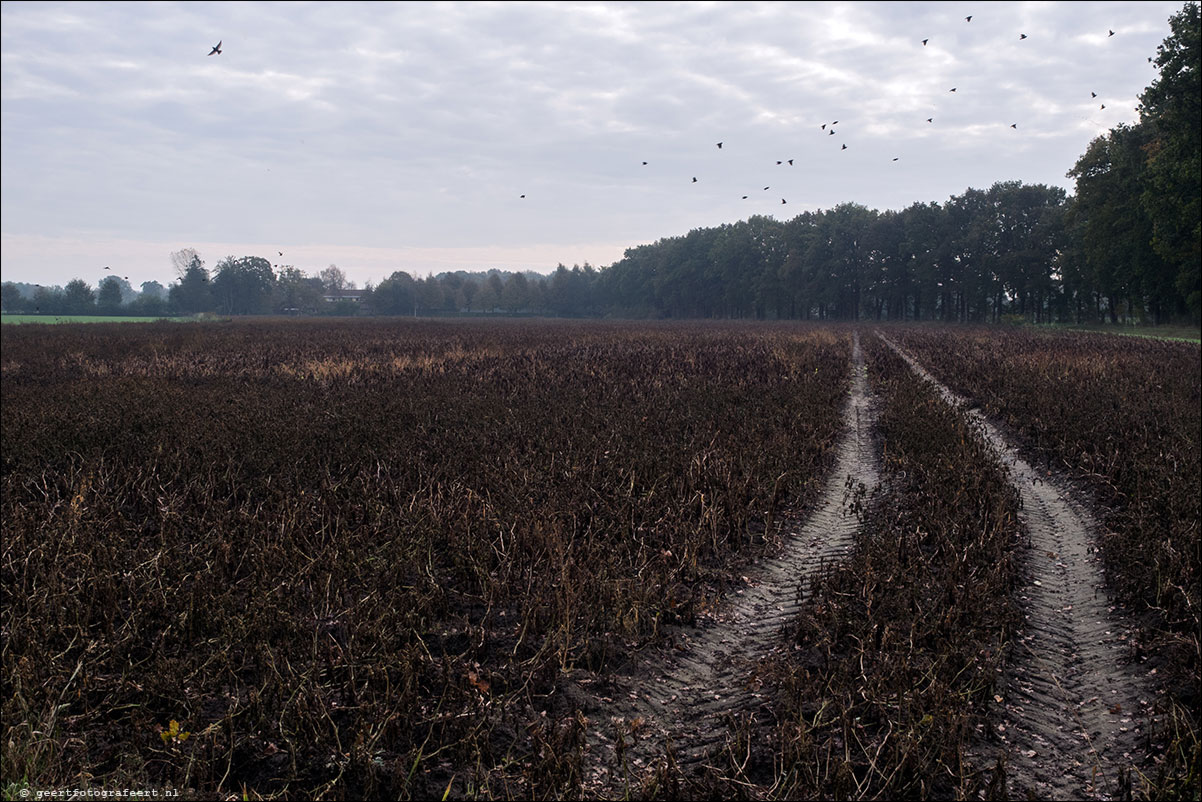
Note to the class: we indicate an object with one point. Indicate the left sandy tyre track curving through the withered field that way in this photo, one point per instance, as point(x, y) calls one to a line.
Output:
point(681, 702)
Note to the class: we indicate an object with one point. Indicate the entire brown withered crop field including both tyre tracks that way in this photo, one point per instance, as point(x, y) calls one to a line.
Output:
point(599, 561)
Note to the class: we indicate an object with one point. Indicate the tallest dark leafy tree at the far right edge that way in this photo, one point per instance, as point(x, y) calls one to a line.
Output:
point(1171, 108)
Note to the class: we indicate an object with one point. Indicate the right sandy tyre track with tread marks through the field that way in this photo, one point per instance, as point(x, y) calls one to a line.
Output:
point(1074, 709)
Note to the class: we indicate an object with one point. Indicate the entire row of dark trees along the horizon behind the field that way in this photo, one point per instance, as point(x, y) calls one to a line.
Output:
point(1126, 247)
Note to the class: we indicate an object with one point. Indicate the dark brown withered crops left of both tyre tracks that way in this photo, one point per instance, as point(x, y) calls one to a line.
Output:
point(346, 560)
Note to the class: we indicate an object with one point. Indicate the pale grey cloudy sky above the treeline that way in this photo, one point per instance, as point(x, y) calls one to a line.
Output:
point(389, 138)
